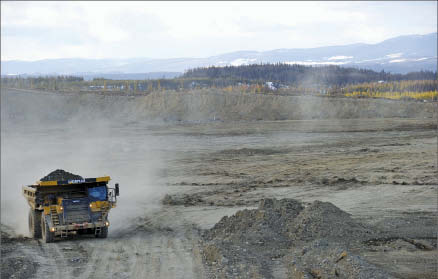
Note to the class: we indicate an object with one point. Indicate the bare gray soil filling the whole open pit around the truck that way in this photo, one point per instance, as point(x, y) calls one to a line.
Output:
point(331, 197)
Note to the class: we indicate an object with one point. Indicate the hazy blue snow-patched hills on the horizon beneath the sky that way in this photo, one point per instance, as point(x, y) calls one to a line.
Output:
point(398, 55)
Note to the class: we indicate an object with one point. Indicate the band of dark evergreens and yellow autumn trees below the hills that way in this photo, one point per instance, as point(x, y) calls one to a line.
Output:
point(282, 79)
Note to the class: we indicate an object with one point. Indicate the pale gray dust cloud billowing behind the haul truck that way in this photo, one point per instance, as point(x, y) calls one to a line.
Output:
point(44, 132)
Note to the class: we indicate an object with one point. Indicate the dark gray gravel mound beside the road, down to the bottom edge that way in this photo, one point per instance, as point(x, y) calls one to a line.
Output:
point(253, 242)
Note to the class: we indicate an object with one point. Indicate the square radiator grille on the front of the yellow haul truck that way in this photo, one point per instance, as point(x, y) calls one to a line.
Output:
point(76, 210)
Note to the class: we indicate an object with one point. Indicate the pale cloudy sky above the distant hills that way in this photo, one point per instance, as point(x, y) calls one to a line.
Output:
point(46, 30)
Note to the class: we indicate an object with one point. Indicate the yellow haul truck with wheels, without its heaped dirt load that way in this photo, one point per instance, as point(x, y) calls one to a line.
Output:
point(59, 208)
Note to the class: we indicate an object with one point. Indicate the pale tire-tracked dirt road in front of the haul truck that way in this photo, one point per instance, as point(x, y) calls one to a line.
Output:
point(163, 244)
